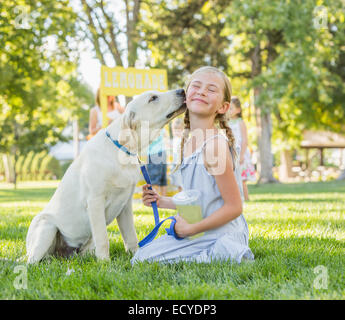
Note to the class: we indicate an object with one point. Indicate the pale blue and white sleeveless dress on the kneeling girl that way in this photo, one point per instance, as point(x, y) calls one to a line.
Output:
point(229, 241)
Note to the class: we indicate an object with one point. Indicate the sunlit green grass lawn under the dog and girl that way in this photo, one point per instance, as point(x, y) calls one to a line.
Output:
point(293, 229)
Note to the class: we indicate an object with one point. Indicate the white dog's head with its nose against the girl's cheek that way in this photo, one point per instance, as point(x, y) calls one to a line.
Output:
point(148, 113)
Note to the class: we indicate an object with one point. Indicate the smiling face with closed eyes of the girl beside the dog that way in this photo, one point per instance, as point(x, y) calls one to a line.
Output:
point(205, 94)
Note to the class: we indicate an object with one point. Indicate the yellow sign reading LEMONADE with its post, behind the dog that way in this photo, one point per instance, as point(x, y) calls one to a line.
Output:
point(129, 82)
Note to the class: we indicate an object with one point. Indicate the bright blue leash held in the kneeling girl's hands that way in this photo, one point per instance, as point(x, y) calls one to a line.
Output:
point(170, 231)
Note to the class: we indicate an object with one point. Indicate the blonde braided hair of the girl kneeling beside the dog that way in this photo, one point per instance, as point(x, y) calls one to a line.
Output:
point(221, 118)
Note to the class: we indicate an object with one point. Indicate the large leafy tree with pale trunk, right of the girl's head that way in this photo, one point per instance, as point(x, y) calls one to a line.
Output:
point(285, 50)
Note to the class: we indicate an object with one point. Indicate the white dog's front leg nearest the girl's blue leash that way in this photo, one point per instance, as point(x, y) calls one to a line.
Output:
point(126, 224)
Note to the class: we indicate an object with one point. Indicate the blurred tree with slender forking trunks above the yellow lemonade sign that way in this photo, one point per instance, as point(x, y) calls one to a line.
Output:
point(113, 32)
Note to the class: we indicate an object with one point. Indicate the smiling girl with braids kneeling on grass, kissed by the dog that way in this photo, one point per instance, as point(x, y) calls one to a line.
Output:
point(207, 164)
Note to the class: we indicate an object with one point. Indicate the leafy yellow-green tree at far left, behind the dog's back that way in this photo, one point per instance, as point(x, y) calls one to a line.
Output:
point(37, 70)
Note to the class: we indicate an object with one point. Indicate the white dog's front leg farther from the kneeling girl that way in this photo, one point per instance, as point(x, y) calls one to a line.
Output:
point(96, 212)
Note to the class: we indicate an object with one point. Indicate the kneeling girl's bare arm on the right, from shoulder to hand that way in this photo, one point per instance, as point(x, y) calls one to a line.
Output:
point(218, 162)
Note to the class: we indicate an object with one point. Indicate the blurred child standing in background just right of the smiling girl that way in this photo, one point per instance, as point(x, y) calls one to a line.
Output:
point(239, 130)
